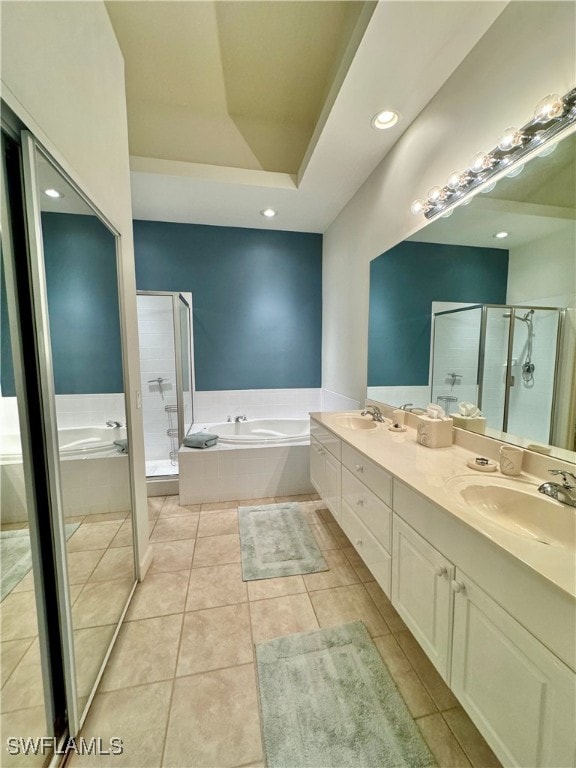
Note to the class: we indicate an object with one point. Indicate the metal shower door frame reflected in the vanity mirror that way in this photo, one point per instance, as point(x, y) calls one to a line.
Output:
point(509, 378)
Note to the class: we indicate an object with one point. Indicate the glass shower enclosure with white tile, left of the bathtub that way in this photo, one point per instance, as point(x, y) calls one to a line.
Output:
point(167, 370)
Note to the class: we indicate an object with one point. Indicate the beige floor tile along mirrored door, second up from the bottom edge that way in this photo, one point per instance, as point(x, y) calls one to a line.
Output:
point(145, 651)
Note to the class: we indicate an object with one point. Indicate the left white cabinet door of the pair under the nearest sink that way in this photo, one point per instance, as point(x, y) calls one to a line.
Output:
point(421, 592)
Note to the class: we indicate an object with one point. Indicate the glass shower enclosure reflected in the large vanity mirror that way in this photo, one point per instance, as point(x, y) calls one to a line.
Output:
point(505, 359)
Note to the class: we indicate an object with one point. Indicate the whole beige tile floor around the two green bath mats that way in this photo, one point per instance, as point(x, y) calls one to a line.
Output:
point(180, 687)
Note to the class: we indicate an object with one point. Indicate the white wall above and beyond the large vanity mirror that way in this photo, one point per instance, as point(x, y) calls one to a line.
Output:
point(528, 53)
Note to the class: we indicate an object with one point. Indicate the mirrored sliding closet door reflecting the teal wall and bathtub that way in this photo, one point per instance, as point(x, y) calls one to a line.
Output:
point(75, 286)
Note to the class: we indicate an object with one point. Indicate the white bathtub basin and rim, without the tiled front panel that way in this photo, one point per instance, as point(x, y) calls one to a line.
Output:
point(261, 431)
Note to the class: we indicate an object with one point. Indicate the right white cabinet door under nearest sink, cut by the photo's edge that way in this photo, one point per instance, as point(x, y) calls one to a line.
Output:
point(521, 697)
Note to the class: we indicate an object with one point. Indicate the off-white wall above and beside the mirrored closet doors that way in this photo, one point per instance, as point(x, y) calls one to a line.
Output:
point(63, 75)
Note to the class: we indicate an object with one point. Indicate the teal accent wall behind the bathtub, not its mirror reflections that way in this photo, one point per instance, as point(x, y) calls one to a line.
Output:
point(257, 298)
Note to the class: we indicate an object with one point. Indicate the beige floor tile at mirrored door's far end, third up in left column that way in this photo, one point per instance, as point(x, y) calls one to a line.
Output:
point(159, 595)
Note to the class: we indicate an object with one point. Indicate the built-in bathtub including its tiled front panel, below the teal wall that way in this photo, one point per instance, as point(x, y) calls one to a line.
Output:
point(255, 459)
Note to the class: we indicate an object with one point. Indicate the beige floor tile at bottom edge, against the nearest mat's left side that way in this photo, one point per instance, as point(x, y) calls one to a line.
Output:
point(223, 707)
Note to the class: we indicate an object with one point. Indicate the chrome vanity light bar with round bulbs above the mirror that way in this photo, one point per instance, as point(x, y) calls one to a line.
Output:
point(553, 115)
